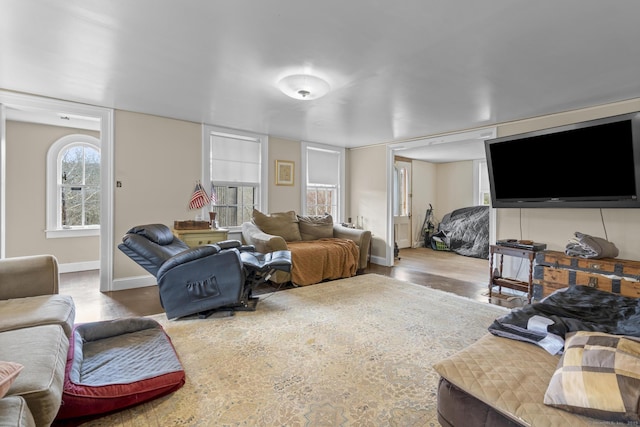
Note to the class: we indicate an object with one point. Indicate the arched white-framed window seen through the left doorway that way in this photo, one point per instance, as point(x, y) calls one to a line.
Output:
point(73, 187)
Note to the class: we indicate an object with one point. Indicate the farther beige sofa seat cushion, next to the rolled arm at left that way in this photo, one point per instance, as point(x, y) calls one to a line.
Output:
point(40, 310)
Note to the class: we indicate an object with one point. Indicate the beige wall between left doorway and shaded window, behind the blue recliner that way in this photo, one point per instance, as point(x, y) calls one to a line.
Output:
point(158, 161)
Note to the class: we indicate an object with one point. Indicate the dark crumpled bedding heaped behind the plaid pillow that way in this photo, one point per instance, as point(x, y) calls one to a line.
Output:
point(577, 308)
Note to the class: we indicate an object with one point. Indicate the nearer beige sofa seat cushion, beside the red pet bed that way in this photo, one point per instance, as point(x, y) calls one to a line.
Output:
point(42, 350)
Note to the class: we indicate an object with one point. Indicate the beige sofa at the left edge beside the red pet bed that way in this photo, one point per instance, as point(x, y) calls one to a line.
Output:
point(35, 326)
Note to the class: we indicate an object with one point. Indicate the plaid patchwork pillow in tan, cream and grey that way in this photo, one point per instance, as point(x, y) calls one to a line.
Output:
point(598, 376)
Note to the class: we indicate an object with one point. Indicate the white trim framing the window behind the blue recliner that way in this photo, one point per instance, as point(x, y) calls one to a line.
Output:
point(263, 185)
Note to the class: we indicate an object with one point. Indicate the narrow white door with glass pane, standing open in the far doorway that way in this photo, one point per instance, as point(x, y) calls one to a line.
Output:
point(402, 203)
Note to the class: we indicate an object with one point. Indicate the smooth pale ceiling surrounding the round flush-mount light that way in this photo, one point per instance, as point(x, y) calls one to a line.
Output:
point(397, 70)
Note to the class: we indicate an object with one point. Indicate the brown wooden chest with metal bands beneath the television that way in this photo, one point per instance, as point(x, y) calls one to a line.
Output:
point(554, 270)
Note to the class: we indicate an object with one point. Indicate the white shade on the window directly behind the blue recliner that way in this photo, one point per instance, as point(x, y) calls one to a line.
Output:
point(235, 160)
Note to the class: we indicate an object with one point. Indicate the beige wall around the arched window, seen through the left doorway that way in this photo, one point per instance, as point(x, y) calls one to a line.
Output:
point(26, 150)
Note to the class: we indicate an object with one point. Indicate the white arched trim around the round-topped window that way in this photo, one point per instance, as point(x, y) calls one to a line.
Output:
point(52, 230)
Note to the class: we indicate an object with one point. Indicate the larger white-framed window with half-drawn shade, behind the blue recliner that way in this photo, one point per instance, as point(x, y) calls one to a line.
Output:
point(233, 165)
